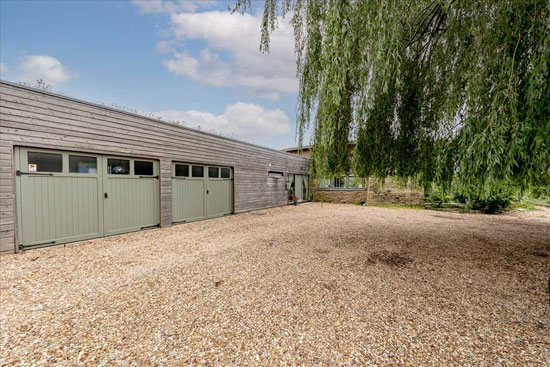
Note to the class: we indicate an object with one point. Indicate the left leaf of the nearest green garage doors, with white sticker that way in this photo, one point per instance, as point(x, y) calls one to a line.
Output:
point(58, 197)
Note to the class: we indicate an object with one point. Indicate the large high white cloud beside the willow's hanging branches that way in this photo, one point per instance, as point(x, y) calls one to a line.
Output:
point(238, 36)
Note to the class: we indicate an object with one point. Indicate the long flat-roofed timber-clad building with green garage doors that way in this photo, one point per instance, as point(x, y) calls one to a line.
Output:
point(73, 170)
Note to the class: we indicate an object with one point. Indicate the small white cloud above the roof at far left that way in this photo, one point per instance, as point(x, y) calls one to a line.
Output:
point(44, 67)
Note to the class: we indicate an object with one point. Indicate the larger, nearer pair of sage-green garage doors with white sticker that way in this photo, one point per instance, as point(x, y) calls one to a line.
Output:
point(64, 197)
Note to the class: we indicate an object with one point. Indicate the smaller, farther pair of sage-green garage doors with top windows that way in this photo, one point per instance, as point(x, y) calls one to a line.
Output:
point(201, 192)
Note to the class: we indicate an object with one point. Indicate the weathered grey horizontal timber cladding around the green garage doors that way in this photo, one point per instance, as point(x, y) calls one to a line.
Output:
point(38, 119)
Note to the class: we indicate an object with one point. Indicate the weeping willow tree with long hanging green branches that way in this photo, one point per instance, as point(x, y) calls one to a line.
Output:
point(430, 90)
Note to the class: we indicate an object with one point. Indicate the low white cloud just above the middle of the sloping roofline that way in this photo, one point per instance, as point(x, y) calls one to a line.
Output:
point(245, 121)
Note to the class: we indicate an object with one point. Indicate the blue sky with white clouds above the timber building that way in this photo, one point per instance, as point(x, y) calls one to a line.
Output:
point(188, 61)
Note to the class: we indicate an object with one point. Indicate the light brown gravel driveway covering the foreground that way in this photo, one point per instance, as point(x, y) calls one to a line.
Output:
point(310, 285)
